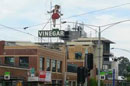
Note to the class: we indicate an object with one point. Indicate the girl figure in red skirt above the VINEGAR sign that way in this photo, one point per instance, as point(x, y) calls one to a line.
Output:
point(55, 14)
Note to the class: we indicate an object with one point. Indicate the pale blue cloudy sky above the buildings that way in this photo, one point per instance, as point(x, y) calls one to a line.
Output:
point(29, 13)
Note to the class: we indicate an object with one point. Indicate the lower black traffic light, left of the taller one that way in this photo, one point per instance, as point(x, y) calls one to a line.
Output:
point(81, 74)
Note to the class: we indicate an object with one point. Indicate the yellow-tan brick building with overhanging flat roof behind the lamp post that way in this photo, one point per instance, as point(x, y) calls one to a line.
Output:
point(77, 49)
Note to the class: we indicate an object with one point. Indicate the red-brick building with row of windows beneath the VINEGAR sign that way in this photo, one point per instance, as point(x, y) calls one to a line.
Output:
point(27, 63)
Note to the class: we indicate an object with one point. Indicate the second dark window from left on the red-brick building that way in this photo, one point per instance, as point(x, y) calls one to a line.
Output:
point(24, 62)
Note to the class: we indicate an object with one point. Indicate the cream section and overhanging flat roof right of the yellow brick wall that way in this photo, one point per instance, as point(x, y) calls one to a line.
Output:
point(105, 50)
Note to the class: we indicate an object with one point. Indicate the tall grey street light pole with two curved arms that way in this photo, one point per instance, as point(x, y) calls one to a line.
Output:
point(99, 39)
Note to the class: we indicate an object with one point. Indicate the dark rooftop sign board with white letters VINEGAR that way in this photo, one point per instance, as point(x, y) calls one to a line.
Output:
point(51, 33)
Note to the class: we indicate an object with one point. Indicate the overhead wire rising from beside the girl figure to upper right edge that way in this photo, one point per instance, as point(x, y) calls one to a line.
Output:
point(97, 10)
